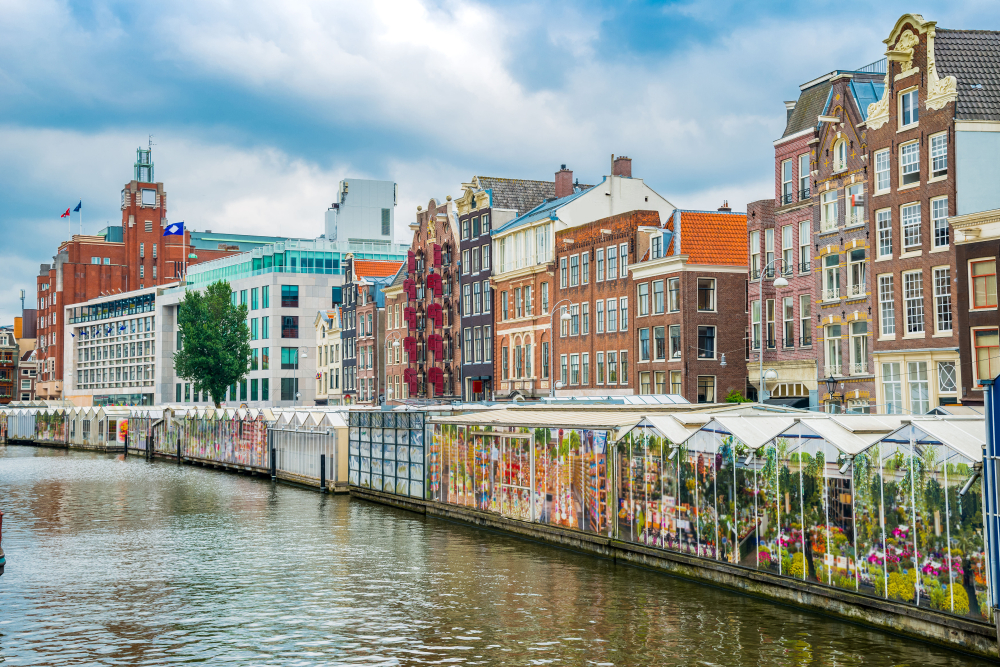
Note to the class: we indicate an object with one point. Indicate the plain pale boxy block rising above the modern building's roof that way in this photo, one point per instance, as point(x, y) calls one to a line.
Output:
point(364, 209)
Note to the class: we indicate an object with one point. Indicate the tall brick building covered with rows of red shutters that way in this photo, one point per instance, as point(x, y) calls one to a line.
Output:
point(432, 344)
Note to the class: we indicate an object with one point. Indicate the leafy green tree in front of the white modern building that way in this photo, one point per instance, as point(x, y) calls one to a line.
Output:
point(215, 349)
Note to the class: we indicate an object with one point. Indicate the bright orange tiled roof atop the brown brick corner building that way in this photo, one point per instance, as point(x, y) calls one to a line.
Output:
point(710, 237)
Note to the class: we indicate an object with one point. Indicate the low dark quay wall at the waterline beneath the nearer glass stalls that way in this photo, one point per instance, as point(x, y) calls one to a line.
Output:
point(918, 623)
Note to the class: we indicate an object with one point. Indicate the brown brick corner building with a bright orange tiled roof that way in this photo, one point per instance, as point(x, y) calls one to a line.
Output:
point(689, 312)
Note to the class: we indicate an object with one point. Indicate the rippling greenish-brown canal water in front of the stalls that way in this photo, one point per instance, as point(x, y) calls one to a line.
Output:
point(116, 562)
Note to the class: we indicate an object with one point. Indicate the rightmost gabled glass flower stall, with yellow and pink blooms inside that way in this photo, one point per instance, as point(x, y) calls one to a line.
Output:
point(933, 552)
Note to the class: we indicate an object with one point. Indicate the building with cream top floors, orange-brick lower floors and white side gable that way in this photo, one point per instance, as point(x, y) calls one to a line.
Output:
point(524, 271)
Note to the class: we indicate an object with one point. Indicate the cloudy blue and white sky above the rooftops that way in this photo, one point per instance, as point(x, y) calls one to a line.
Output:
point(257, 108)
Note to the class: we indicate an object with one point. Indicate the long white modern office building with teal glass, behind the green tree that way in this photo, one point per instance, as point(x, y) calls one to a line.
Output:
point(119, 348)
